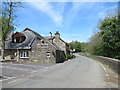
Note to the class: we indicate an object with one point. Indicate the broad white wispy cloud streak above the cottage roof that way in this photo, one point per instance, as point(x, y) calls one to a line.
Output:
point(48, 9)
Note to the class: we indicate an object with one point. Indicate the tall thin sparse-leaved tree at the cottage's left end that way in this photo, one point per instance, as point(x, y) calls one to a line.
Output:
point(8, 15)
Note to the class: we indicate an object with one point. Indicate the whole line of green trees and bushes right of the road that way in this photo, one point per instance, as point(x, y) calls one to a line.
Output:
point(106, 42)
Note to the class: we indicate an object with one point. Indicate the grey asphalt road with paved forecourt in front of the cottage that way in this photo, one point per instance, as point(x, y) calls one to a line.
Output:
point(80, 72)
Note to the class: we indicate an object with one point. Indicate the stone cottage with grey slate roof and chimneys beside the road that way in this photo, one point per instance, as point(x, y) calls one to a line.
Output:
point(30, 46)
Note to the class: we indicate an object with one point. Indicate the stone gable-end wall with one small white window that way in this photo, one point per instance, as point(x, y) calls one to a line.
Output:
point(40, 50)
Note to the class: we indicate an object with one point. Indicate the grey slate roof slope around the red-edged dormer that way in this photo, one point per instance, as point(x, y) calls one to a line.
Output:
point(31, 39)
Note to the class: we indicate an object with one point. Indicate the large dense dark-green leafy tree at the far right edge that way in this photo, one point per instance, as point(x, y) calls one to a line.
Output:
point(110, 33)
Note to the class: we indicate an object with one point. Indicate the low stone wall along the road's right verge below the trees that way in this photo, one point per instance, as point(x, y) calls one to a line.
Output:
point(112, 63)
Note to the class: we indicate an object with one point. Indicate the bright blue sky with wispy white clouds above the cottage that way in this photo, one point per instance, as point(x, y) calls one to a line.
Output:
point(74, 20)
